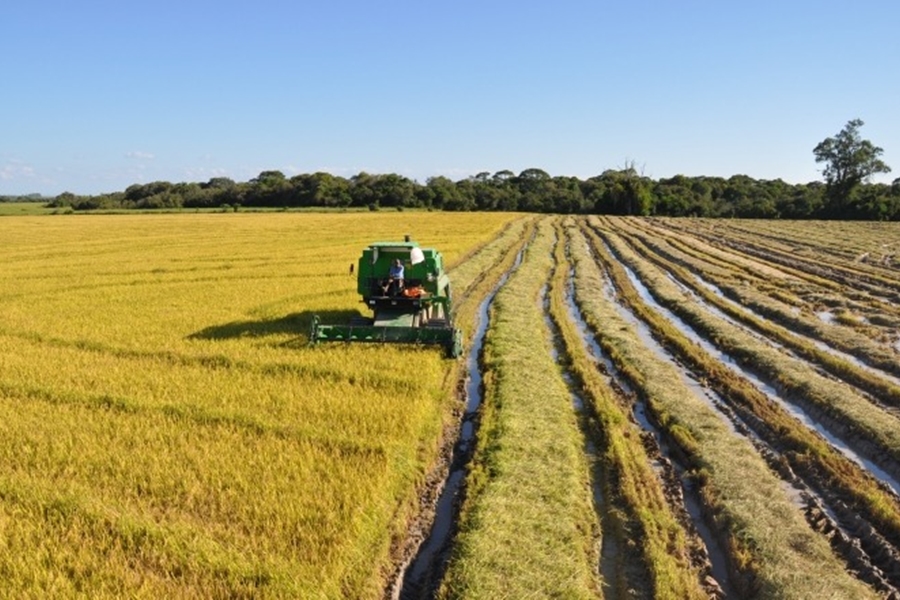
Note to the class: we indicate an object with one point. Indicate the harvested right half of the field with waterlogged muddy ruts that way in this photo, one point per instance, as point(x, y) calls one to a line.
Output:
point(766, 464)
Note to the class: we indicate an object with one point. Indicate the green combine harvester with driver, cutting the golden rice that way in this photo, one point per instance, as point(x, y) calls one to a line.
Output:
point(409, 293)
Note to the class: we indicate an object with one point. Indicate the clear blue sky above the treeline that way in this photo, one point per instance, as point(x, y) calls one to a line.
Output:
point(100, 94)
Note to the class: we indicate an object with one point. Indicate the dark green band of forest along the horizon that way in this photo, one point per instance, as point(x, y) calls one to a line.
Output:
point(616, 192)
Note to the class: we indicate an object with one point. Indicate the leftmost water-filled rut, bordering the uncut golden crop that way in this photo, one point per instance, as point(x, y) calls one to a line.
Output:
point(424, 572)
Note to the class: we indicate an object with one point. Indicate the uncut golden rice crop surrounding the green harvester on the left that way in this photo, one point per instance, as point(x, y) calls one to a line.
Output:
point(165, 430)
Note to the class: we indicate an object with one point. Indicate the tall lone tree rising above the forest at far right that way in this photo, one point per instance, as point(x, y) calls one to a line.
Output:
point(849, 161)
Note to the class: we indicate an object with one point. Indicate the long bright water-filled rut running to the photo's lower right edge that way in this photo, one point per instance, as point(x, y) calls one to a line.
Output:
point(794, 410)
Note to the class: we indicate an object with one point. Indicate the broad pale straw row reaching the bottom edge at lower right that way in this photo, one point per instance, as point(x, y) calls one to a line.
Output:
point(706, 435)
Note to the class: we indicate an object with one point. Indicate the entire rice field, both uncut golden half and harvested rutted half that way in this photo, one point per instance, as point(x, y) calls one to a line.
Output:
point(672, 408)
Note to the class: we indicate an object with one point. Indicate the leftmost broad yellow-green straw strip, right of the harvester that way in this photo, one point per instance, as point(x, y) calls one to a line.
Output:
point(528, 528)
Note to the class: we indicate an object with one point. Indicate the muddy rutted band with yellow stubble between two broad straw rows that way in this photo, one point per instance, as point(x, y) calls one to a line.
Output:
point(704, 559)
